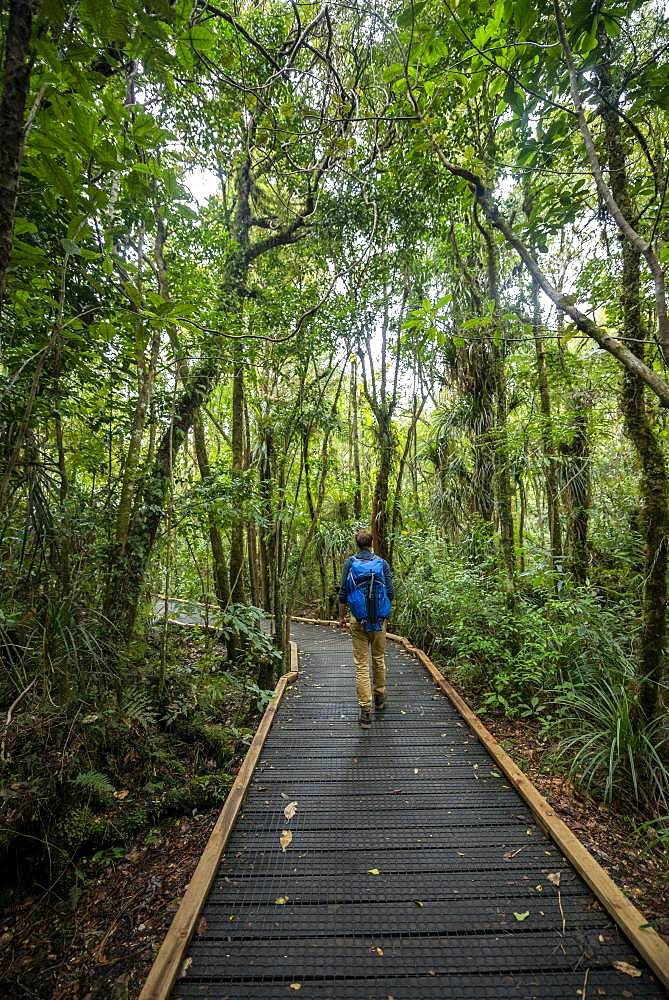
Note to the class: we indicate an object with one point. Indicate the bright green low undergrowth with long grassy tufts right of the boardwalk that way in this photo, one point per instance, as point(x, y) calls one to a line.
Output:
point(567, 662)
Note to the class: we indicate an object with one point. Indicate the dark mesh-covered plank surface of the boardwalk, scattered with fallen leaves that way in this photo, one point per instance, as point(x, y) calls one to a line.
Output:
point(415, 870)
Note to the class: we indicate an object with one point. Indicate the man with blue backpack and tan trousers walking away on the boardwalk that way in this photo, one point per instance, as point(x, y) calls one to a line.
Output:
point(367, 590)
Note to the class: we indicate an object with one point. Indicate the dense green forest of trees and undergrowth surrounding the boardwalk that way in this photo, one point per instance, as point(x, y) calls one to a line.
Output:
point(272, 270)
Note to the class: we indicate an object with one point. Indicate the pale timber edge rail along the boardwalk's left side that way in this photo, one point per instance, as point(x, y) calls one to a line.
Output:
point(167, 964)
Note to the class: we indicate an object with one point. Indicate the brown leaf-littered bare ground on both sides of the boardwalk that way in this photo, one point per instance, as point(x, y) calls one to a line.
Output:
point(102, 944)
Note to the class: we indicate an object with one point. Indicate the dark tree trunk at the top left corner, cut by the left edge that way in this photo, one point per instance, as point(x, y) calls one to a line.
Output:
point(15, 86)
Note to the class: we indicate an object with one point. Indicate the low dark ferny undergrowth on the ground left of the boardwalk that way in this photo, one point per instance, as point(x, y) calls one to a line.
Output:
point(87, 778)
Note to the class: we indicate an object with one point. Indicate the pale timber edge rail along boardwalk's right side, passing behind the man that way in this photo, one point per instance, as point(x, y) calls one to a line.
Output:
point(631, 921)
